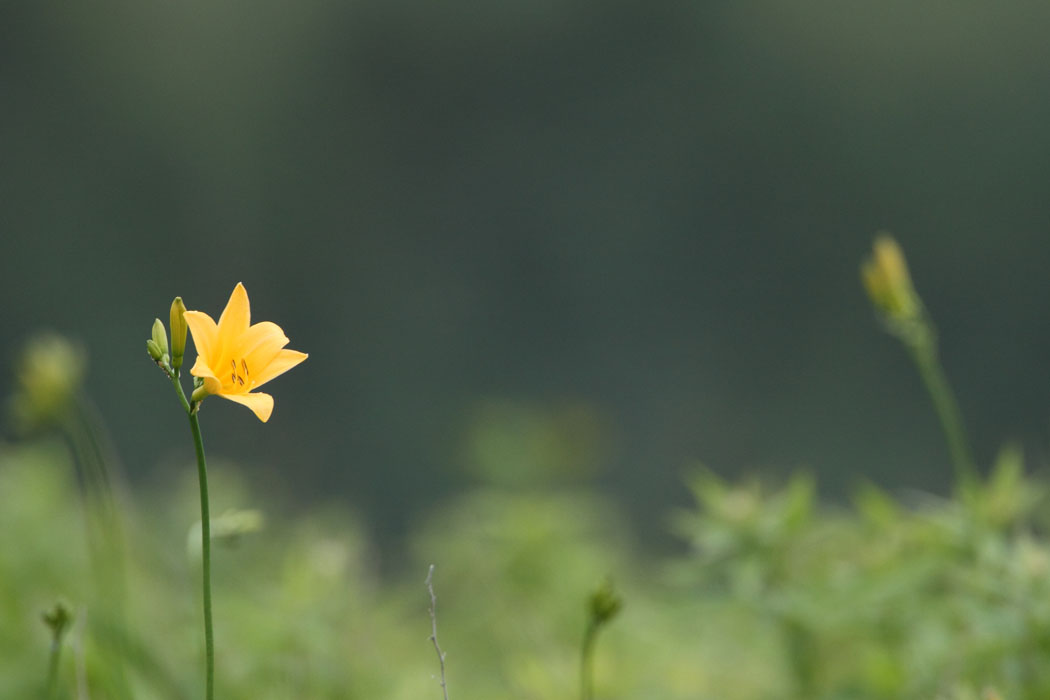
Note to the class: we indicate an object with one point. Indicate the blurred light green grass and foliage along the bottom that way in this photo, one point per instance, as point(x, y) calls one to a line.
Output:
point(780, 597)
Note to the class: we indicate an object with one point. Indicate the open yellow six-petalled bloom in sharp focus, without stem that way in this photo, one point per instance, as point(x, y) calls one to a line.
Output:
point(235, 357)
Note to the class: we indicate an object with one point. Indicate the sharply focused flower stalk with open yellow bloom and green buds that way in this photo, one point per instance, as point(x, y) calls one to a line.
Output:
point(234, 358)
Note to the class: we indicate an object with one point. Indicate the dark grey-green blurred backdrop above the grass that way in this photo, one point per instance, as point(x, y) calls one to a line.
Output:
point(537, 243)
